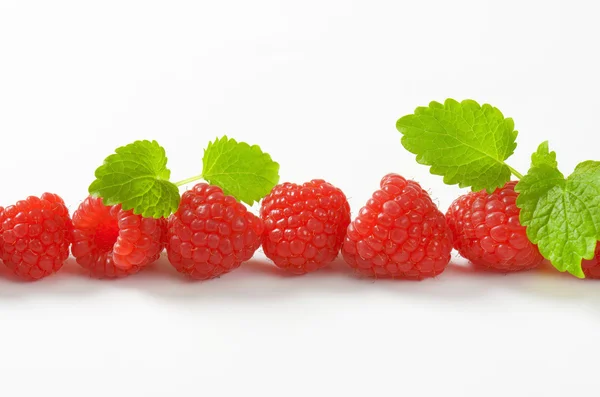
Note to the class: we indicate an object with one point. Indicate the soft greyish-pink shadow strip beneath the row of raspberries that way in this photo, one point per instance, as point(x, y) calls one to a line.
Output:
point(260, 281)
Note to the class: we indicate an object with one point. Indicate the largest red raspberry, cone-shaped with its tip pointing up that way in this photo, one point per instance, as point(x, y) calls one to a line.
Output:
point(399, 233)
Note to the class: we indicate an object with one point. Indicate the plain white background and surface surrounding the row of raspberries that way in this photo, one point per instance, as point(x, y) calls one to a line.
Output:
point(319, 84)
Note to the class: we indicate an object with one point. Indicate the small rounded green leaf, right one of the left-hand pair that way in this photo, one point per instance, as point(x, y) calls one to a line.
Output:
point(241, 170)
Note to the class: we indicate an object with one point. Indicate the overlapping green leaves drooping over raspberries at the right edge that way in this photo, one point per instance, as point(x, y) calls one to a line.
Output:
point(562, 216)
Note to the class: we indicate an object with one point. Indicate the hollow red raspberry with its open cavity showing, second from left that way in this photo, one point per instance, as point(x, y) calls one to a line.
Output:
point(110, 242)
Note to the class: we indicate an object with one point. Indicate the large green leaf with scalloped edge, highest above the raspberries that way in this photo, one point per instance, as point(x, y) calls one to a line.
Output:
point(464, 142)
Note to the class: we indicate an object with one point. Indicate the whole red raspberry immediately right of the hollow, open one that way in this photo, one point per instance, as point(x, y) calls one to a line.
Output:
point(211, 233)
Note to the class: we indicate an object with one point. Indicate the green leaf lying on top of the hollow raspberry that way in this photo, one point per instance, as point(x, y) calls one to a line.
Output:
point(137, 177)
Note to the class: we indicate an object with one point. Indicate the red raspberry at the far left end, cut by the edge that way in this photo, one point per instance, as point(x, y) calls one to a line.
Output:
point(36, 234)
